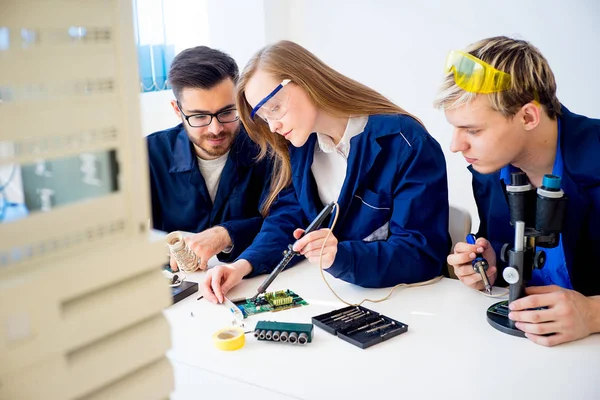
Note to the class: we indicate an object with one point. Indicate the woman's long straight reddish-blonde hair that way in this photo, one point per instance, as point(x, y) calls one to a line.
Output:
point(330, 91)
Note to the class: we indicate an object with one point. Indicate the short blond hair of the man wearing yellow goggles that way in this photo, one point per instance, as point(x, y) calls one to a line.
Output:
point(531, 78)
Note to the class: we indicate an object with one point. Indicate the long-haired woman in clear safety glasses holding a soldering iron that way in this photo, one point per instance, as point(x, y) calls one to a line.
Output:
point(334, 139)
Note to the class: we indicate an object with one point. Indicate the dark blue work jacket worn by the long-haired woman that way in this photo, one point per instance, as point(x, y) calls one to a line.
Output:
point(393, 223)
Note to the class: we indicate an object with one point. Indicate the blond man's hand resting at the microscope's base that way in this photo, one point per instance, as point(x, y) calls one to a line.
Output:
point(569, 315)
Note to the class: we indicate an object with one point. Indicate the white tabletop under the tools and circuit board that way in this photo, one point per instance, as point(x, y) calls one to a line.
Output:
point(450, 351)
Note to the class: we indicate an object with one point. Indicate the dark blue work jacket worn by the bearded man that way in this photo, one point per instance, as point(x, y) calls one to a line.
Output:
point(180, 199)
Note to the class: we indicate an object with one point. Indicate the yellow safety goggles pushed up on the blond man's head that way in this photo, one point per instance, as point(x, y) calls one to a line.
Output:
point(474, 75)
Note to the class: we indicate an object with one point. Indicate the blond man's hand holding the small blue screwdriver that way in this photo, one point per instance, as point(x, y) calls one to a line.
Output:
point(461, 260)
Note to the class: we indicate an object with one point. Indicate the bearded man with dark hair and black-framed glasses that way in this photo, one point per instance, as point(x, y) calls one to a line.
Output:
point(203, 175)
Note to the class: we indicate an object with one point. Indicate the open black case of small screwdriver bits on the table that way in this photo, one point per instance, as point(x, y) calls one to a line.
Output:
point(359, 325)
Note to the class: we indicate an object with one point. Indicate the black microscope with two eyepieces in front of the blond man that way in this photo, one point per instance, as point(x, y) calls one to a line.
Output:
point(537, 217)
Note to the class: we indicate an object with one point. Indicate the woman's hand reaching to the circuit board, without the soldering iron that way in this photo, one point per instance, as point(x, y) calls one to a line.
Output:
point(220, 279)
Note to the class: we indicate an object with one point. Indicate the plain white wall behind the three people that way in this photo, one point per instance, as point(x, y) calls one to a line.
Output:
point(398, 47)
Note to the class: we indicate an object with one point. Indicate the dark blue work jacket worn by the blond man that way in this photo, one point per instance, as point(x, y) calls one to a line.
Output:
point(580, 150)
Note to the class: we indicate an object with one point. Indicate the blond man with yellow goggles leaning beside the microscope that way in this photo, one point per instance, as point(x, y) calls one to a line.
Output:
point(500, 96)
